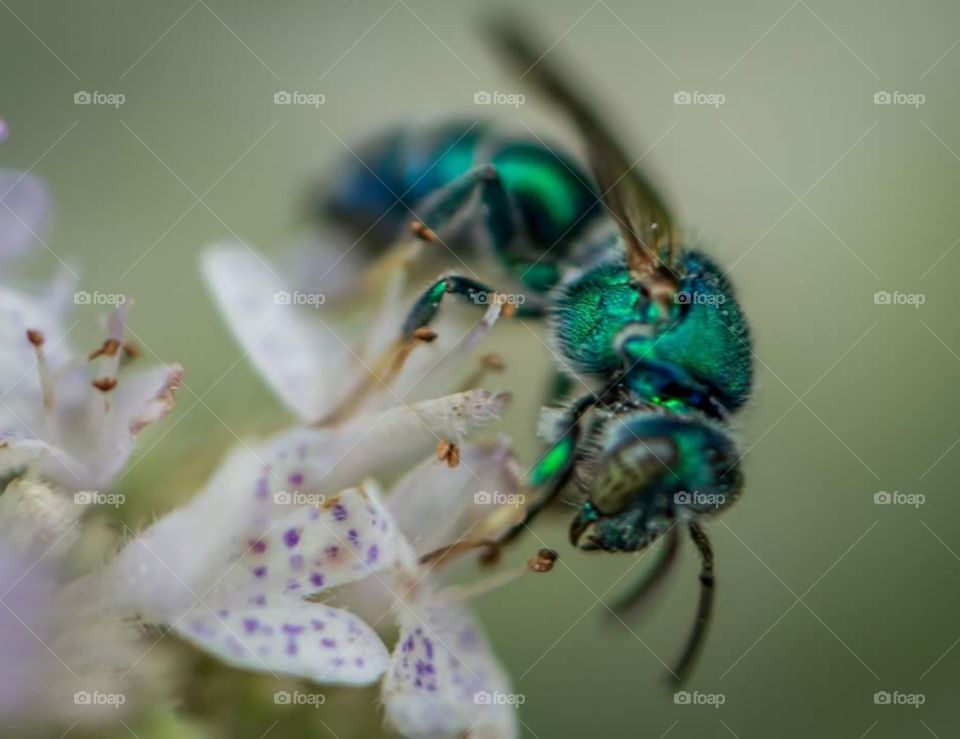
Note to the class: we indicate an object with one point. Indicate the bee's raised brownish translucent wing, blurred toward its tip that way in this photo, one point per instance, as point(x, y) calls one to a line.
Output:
point(642, 215)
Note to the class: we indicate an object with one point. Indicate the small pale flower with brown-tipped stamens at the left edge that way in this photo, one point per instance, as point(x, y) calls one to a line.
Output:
point(72, 417)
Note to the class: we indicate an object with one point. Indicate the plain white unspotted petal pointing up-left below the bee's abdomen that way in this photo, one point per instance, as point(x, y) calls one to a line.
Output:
point(305, 364)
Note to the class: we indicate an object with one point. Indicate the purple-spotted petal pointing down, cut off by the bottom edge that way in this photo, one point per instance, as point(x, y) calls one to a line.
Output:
point(443, 679)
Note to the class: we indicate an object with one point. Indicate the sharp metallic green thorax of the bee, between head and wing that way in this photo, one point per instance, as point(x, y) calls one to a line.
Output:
point(702, 348)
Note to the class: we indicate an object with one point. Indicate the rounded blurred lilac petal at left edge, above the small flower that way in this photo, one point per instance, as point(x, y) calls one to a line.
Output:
point(24, 211)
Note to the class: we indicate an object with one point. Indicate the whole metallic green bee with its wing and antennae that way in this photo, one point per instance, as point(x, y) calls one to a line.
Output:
point(653, 327)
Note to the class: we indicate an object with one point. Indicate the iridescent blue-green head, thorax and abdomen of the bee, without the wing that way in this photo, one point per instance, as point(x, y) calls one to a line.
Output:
point(533, 210)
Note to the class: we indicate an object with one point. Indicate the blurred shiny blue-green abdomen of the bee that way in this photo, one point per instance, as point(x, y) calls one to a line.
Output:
point(549, 202)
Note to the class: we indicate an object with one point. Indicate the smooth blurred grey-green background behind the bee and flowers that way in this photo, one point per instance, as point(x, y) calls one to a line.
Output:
point(817, 196)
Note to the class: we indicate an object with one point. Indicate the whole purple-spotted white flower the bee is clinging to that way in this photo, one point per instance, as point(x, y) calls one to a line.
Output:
point(239, 570)
